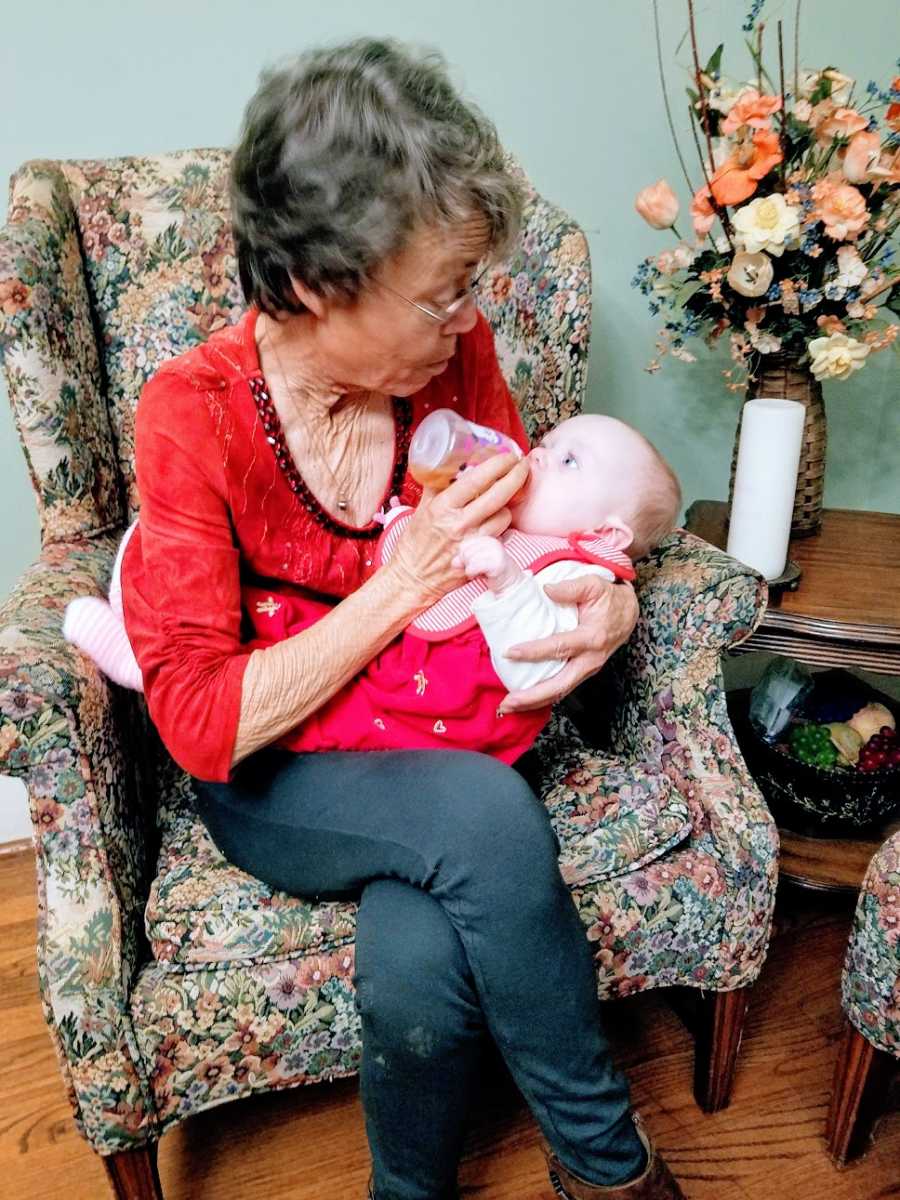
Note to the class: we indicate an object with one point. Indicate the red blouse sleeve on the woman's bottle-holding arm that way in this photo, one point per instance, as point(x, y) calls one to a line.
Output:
point(182, 580)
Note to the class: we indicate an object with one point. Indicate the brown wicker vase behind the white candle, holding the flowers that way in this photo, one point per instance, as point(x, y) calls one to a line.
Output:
point(783, 377)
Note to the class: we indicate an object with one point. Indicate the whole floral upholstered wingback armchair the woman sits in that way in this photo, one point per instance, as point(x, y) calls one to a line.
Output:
point(171, 980)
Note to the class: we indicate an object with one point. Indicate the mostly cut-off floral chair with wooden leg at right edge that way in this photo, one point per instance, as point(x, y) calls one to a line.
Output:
point(871, 986)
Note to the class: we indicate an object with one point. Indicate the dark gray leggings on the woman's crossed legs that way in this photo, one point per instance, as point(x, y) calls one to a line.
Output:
point(465, 927)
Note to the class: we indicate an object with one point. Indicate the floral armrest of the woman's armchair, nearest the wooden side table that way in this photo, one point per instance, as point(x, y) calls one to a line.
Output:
point(662, 699)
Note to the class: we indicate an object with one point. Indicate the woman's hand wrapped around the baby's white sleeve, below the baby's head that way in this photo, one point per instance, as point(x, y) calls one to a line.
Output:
point(608, 615)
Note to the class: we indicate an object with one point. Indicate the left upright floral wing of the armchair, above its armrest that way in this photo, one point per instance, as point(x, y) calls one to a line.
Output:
point(50, 353)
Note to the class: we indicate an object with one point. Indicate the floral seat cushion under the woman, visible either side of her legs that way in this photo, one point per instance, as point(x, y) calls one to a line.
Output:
point(610, 819)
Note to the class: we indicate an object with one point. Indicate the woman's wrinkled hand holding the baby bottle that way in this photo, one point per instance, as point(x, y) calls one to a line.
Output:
point(427, 556)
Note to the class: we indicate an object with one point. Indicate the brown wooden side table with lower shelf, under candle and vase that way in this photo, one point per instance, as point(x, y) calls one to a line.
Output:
point(845, 613)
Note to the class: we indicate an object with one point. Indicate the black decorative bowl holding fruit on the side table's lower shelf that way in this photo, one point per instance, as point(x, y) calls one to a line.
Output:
point(815, 800)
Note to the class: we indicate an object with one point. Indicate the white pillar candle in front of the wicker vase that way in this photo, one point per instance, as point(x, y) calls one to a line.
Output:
point(765, 484)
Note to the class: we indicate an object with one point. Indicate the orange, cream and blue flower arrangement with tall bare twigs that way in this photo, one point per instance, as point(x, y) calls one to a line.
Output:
point(805, 184)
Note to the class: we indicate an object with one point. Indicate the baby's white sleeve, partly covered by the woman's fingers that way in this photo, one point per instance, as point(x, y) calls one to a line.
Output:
point(524, 614)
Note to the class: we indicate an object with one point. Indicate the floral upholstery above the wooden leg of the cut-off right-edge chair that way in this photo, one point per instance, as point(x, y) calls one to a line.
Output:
point(871, 983)
